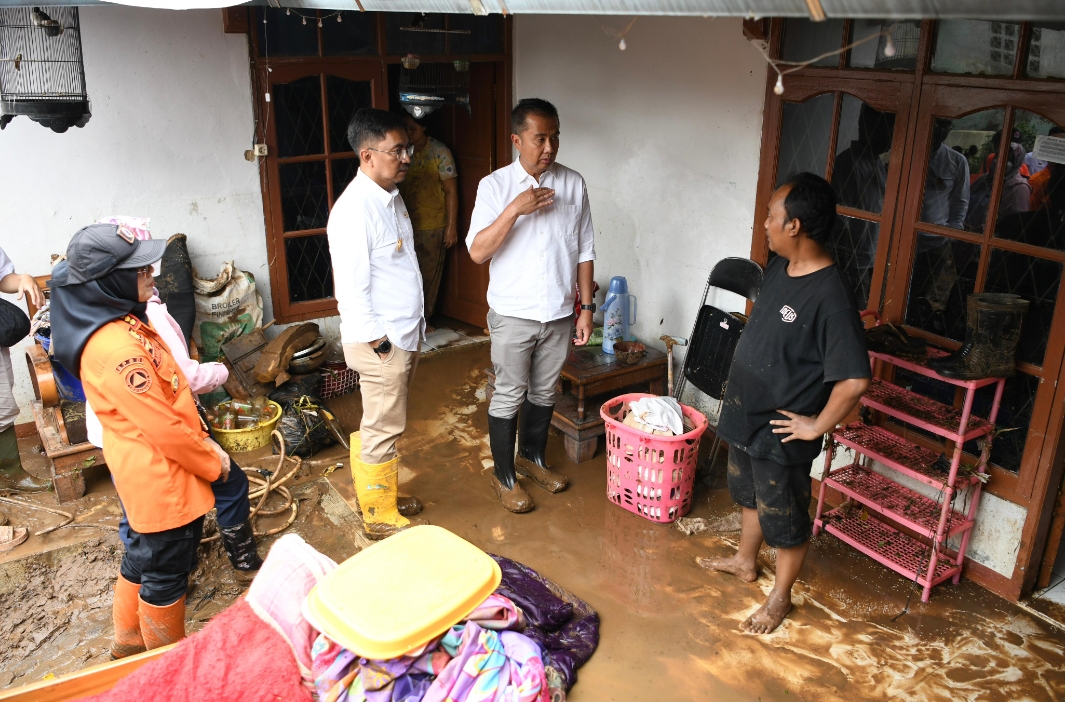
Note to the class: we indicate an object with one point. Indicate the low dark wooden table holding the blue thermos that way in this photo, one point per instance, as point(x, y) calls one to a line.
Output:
point(589, 380)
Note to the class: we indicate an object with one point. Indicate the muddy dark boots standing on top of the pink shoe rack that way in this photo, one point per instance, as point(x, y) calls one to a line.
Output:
point(992, 336)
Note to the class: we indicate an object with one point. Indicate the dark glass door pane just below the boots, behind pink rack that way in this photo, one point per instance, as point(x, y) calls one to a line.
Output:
point(1015, 414)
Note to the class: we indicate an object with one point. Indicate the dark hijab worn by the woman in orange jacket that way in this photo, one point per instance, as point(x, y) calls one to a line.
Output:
point(79, 311)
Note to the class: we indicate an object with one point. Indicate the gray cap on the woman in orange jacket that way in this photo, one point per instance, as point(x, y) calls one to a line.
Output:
point(101, 249)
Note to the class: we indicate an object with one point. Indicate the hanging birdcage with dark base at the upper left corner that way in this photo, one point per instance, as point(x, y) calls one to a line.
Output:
point(42, 74)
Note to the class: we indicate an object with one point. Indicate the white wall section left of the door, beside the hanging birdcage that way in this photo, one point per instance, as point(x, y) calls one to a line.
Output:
point(172, 118)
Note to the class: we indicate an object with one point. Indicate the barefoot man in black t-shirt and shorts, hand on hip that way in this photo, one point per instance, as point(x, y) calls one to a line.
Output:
point(800, 368)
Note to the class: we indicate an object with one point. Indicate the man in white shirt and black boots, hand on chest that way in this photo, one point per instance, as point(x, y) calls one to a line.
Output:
point(533, 221)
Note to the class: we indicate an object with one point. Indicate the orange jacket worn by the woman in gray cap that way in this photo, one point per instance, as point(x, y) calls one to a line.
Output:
point(152, 430)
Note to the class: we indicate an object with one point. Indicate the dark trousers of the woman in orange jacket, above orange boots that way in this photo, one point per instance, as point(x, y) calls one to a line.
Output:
point(160, 563)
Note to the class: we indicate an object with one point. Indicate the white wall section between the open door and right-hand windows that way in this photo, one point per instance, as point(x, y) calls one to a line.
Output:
point(667, 135)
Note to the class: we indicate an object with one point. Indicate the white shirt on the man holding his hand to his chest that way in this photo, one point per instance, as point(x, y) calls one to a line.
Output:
point(534, 273)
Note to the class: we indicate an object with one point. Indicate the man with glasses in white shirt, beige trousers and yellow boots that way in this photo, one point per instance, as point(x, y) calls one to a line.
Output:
point(379, 290)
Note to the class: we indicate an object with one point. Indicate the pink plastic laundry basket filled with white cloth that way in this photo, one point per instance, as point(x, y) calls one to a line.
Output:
point(650, 476)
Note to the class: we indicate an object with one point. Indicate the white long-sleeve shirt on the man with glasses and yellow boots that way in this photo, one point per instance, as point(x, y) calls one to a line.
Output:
point(376, 280)
